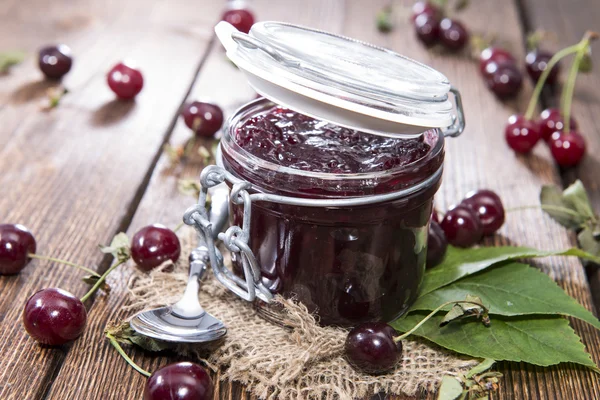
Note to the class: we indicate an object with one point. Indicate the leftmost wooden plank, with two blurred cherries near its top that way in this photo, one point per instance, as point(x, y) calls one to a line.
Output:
point(74, 175)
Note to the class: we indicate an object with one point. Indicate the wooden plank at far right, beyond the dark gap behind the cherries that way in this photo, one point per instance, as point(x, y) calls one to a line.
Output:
point(569, 21)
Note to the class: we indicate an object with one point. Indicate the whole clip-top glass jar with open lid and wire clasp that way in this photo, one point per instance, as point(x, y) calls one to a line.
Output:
point(350, 246)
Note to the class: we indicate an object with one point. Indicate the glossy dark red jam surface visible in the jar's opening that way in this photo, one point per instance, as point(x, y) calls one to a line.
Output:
point(290, 139)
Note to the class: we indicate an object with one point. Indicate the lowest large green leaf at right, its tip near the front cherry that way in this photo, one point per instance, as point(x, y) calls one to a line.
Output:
point(536, 340)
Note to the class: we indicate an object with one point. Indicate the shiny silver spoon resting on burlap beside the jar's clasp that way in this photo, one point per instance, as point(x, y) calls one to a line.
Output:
point(186, 321)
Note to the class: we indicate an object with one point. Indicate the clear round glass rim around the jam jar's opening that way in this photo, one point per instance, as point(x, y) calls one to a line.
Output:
point(230, 146)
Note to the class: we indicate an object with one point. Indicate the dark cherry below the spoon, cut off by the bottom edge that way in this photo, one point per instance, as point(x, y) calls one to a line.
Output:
point(179, 381)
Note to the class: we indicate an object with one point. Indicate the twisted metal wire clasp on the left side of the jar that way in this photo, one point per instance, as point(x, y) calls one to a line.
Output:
point(235, 238)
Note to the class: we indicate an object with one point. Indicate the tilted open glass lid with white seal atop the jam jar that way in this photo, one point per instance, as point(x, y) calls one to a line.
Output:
point(341, 80)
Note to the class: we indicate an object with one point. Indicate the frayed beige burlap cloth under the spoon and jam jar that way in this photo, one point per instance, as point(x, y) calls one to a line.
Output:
point(304, 361)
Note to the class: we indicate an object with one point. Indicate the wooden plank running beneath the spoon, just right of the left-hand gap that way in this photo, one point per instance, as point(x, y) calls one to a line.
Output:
point(223, 84)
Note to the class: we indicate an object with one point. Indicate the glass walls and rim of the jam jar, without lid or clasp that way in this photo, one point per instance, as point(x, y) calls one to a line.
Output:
point(345, 263)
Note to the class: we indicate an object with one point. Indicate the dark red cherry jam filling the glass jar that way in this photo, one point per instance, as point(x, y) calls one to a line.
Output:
point(348, 264)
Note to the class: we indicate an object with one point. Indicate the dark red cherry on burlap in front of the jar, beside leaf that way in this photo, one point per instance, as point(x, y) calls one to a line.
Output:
point(370, 347)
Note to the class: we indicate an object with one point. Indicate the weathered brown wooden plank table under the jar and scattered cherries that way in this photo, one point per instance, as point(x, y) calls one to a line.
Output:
point(94, 166)
